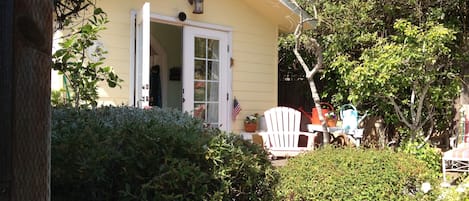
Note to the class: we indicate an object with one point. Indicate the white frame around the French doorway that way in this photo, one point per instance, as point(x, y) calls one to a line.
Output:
point(170, 20)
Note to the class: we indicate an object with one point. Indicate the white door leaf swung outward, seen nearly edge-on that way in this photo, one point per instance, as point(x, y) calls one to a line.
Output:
point(142, 68)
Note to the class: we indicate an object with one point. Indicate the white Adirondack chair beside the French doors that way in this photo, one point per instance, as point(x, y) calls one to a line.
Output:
point(283, 132)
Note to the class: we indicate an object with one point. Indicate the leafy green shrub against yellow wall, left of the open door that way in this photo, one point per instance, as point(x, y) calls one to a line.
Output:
point(81, 61)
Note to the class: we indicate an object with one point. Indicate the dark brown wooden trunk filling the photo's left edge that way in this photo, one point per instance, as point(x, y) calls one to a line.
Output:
point(25, 61)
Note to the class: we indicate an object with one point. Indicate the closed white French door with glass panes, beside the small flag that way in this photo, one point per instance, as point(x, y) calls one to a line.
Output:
point(205, 75)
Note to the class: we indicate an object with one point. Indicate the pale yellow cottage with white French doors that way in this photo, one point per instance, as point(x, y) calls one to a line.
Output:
point(196, 55)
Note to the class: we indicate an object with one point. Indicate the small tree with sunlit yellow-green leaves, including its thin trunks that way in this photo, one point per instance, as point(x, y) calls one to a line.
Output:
point(408, 71)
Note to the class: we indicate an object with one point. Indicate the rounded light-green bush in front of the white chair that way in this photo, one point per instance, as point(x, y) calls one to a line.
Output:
point(355, 174)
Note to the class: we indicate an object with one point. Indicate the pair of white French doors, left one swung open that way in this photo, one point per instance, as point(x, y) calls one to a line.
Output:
point(205, 72)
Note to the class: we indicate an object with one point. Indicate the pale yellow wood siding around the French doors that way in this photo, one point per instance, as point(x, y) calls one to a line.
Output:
point(254, 48)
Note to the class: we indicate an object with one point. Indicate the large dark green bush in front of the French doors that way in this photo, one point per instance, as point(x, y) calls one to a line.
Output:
point(133, 154)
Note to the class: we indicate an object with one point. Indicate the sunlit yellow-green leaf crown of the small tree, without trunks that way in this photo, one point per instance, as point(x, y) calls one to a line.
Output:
point(397, 65)
